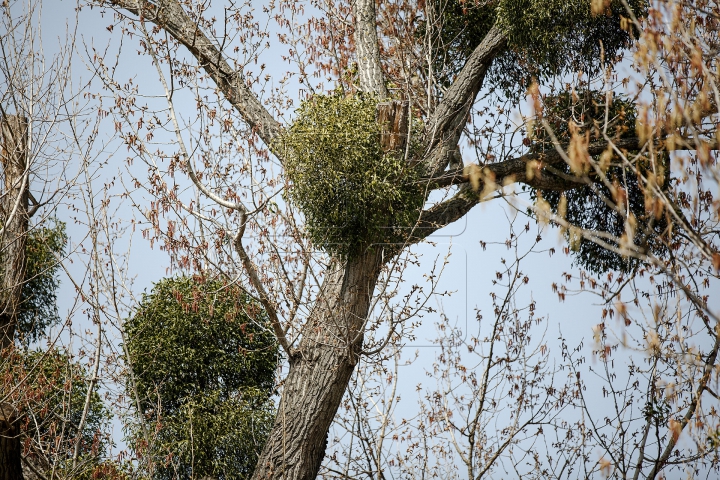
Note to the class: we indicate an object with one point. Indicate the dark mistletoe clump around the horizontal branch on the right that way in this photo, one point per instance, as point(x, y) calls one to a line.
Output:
point(588, 207)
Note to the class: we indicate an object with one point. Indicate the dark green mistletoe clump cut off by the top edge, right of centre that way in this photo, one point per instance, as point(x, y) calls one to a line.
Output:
point(546, 38)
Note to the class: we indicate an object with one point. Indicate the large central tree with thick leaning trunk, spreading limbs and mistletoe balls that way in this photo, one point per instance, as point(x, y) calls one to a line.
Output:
point(425, 82)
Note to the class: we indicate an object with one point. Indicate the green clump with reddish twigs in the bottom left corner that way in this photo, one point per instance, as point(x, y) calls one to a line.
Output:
point(52, 397)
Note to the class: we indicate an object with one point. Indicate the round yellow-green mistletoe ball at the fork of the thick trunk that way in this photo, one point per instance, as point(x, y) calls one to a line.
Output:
point(351, 193)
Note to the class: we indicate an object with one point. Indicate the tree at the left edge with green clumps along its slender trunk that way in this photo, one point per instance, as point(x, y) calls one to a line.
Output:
point(35, 99)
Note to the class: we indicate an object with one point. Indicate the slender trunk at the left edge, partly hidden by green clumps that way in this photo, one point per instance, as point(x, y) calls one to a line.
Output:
point(14, 219)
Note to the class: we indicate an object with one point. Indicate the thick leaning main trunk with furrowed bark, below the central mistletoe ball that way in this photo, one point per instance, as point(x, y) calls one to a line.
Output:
point(320, 373)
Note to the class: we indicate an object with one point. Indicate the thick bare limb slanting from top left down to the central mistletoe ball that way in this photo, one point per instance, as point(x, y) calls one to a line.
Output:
point(169, 15)
